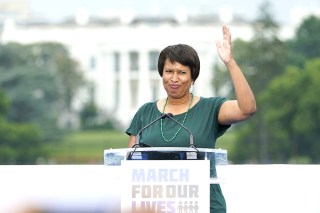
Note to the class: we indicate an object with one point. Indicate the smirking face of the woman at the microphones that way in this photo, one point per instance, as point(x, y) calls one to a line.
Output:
point(176, 79)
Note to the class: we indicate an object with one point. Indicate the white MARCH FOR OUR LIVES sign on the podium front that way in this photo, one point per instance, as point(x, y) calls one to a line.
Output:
point(165, 186)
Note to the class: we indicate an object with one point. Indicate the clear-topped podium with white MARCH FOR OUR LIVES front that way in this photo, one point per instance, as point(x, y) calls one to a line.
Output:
point(166, 179)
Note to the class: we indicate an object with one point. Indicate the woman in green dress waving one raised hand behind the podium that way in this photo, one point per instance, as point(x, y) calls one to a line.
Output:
point(206, 118)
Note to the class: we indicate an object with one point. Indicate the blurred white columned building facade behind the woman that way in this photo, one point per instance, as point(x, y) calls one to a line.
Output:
point(121, 59)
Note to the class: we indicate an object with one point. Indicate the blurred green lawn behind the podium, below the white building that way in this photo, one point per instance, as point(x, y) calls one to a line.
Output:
point(87, 147)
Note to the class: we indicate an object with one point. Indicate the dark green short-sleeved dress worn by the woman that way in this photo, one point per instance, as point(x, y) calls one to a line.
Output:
point(202, 121)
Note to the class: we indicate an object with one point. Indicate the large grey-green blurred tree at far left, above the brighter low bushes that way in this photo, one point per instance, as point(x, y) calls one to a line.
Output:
point(41, 81)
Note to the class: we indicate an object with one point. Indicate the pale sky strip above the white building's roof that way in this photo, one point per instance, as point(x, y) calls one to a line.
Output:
point(283, 9)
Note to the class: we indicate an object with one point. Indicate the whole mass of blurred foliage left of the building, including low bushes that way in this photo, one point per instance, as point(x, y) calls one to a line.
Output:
point(37, 86)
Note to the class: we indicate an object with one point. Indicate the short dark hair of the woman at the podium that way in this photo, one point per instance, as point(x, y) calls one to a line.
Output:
point(183, 54)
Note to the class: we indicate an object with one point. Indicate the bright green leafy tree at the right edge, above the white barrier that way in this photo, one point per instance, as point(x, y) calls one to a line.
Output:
point(293, 114)
